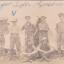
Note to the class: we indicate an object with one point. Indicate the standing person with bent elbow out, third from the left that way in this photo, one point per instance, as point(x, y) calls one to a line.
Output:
point(29, 35)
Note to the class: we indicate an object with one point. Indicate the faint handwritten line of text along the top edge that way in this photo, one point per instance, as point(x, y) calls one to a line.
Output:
point(21, 4)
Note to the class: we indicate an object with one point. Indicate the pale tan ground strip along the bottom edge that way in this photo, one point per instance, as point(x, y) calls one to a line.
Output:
point(7, 60)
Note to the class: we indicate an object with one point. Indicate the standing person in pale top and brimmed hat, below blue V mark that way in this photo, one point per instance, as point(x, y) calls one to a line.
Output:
point(15, 38)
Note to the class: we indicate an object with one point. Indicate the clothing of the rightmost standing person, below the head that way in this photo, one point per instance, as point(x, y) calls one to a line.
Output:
point(60, 34)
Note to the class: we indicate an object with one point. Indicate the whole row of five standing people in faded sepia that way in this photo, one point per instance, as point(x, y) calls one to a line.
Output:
point(36, 37)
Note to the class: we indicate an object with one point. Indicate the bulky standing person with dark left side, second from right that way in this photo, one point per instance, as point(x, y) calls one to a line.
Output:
point(41, 38)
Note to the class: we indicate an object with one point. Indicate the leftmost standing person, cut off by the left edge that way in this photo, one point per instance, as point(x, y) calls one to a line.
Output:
point(3, 32)
